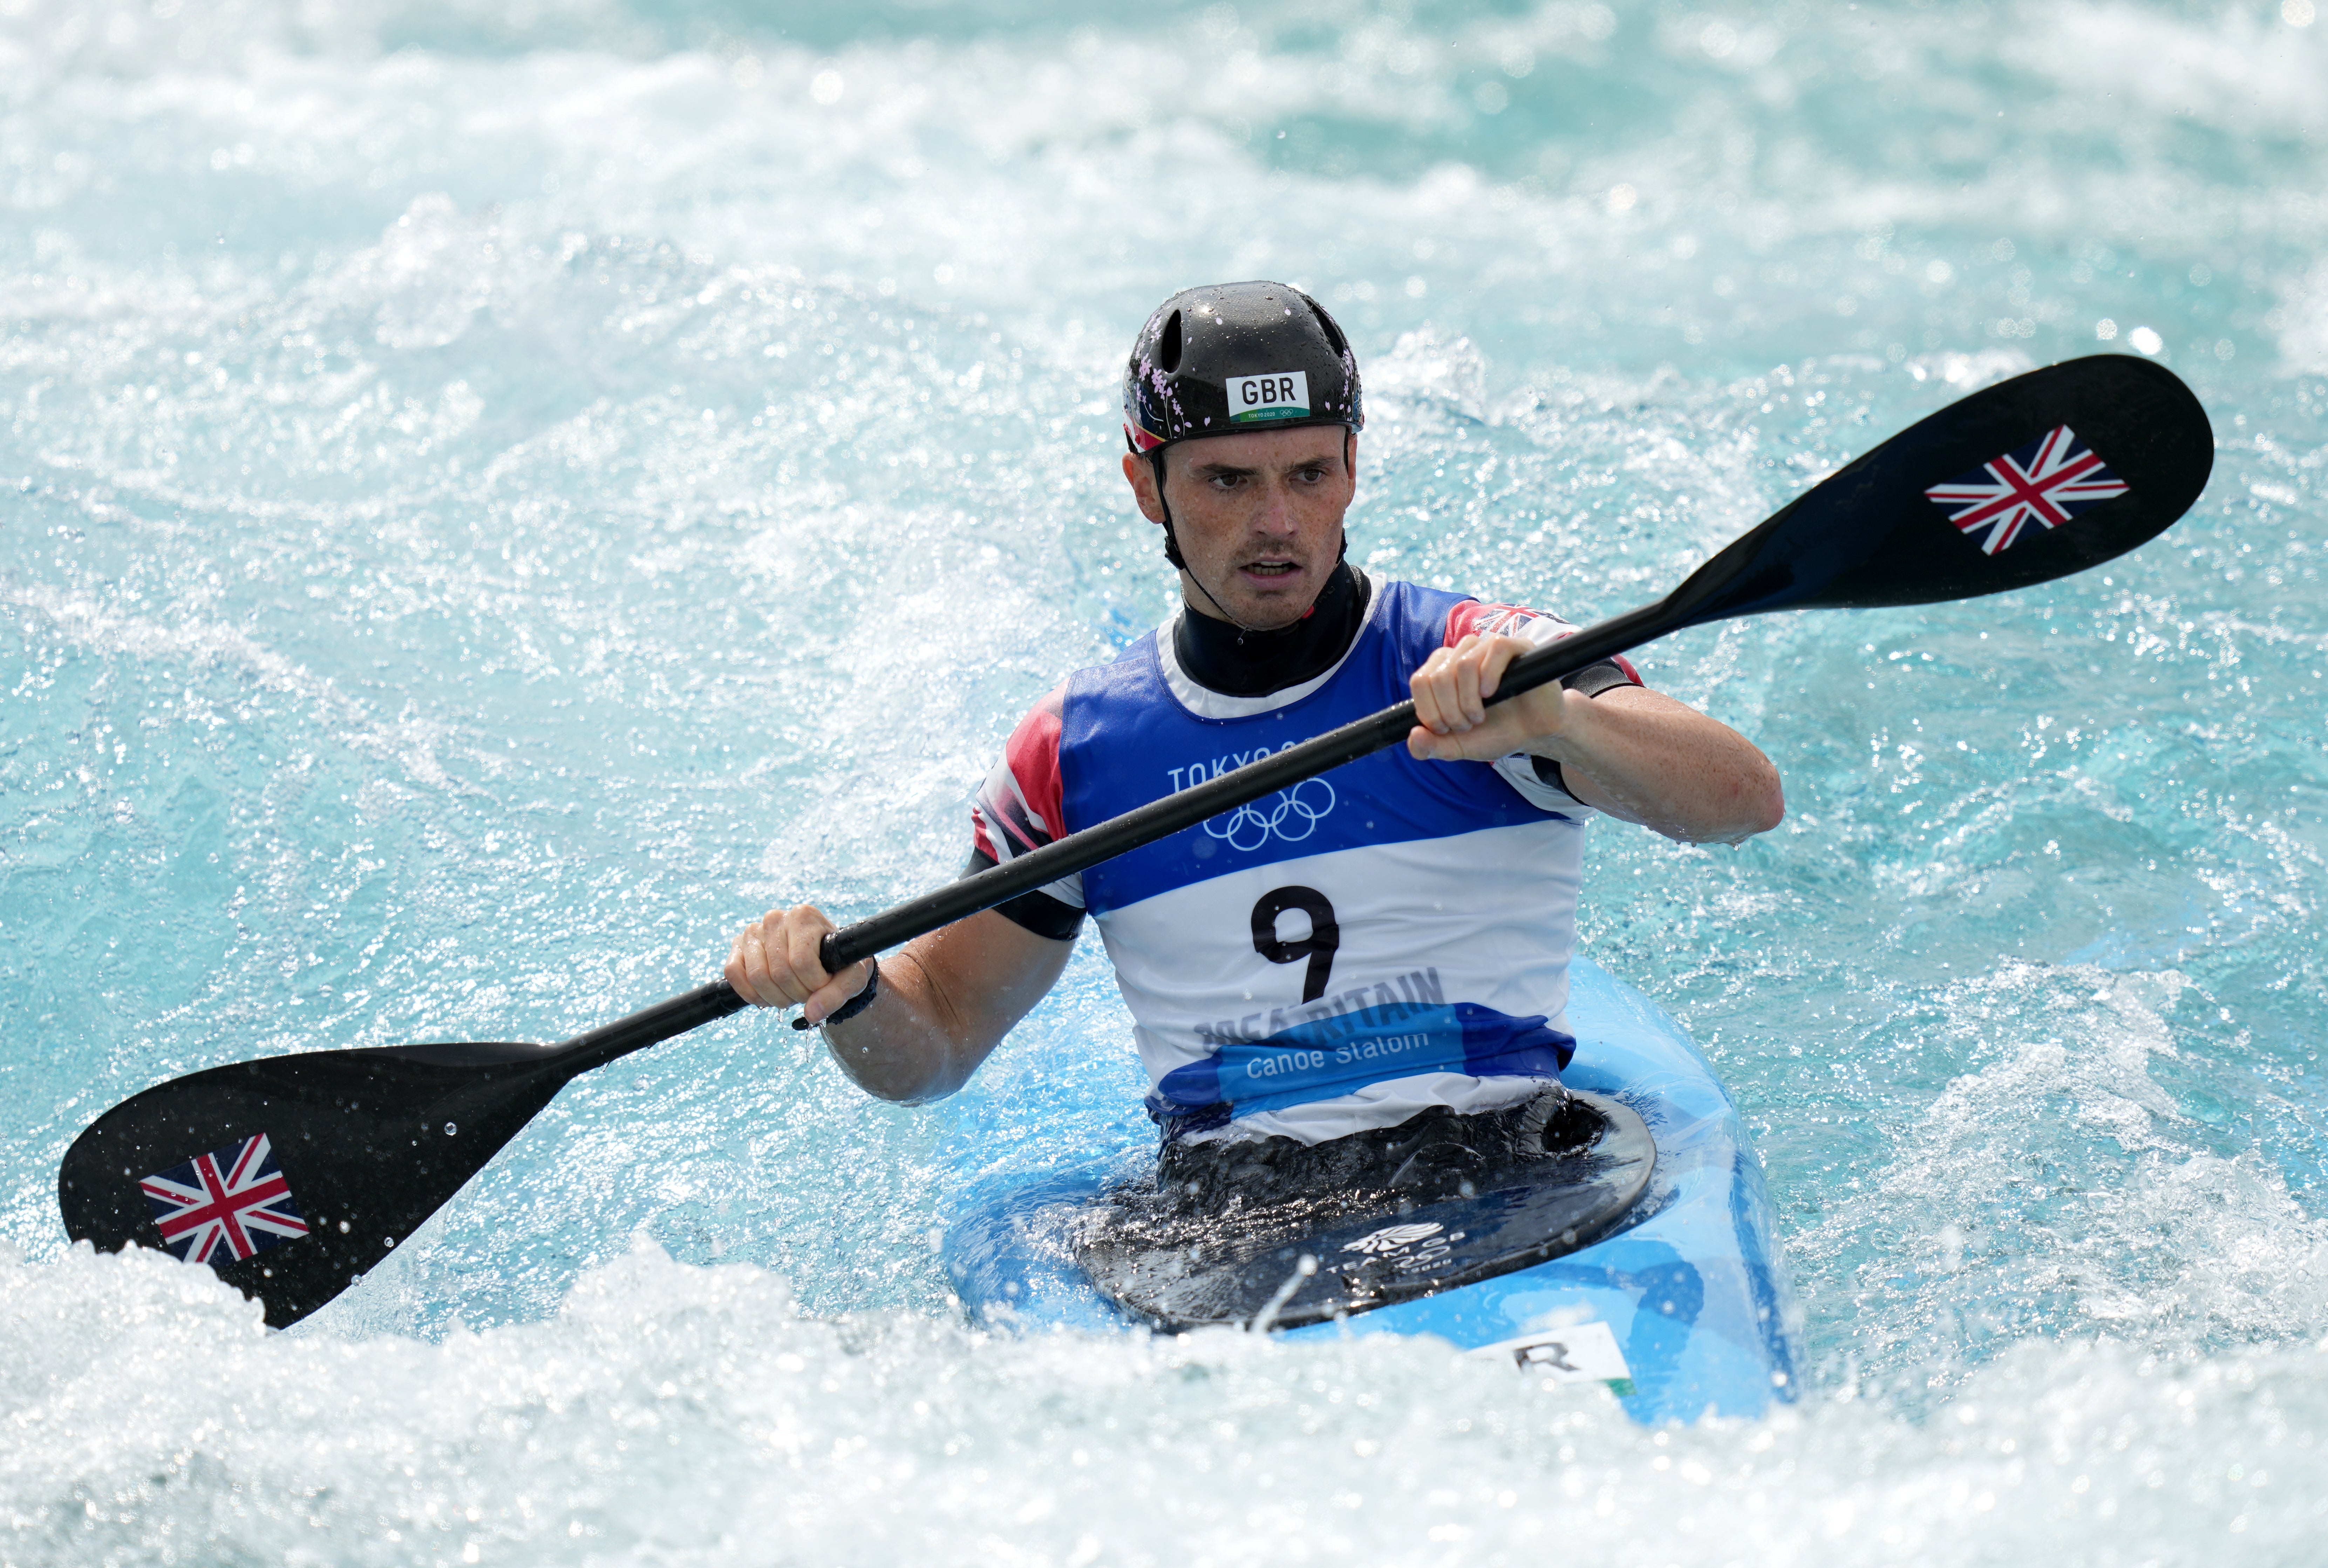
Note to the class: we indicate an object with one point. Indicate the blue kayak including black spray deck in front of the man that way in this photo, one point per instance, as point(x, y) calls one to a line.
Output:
point(1675, 1302)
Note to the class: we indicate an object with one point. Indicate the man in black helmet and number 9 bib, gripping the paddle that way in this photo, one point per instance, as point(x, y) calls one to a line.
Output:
point(1372, 953)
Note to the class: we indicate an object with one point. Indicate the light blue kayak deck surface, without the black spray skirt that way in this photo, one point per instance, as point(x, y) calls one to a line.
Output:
point(1682, 1311)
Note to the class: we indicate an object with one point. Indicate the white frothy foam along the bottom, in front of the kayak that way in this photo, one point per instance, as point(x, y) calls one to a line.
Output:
point(695, 1416)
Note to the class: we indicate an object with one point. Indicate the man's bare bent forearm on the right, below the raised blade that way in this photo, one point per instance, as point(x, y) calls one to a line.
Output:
point(1649, 760)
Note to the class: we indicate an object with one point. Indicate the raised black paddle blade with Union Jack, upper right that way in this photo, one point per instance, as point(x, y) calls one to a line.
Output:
point(2020, 483)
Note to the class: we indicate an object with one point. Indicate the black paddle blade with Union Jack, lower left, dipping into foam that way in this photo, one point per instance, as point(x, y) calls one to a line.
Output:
point(294, 1176)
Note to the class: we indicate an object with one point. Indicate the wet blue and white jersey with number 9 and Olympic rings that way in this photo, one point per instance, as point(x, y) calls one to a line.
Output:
point(1335, 957)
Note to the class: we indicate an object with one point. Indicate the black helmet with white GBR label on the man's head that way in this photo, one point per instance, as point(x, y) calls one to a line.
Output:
point(1237, 357)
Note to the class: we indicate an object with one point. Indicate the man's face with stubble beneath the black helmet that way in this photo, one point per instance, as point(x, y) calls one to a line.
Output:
point(1258, 518)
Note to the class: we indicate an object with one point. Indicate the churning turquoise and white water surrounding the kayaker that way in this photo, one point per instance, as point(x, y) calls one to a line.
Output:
point(502, 494)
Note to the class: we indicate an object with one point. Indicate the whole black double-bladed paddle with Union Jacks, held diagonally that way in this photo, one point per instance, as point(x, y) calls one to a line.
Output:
point(299, 1174)
